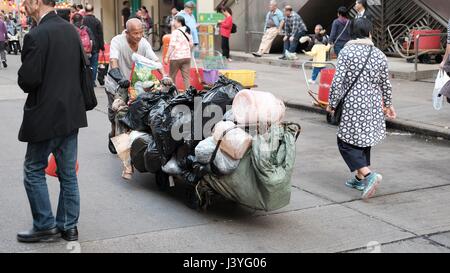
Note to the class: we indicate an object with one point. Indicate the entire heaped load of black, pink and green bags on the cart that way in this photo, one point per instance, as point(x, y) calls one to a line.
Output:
point(227, 141)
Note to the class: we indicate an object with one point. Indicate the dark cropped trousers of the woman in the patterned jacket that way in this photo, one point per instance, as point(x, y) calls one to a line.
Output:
point(355, 157)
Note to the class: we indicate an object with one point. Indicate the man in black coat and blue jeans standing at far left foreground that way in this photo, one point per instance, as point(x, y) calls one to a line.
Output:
point(54, 111)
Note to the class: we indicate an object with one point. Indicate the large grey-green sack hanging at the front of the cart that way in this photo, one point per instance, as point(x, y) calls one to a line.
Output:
point(262, 180)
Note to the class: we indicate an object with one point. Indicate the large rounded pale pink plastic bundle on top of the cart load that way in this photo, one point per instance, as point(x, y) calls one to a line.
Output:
point(251, 107)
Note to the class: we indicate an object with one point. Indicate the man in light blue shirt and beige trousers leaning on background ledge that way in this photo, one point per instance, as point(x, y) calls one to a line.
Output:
point(272, 27)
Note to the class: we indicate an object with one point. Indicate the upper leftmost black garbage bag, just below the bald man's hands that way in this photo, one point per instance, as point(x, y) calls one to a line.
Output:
point(137, 115)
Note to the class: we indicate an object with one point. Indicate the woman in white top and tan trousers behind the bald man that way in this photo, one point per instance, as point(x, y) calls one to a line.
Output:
point(179, 53)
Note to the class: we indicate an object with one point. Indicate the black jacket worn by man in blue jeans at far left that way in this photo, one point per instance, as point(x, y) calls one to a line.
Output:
point(51, 76)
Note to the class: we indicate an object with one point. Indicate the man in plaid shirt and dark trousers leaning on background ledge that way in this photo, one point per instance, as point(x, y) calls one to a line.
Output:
point(294, 28)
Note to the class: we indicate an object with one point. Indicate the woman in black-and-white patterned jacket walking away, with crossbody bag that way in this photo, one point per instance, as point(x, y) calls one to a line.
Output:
point(365, 107)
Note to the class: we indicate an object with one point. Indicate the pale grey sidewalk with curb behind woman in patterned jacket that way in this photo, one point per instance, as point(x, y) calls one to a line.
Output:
point(413, 100)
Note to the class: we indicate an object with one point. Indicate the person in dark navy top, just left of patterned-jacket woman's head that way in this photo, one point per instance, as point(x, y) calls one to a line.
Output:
point(340, 30)
